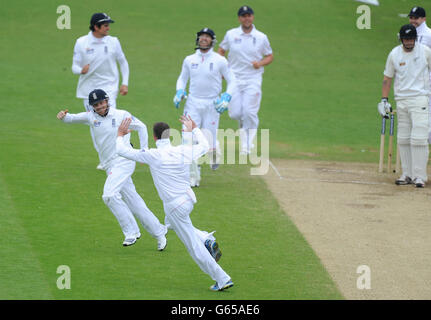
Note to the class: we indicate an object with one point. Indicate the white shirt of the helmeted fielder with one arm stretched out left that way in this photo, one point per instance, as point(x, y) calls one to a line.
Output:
point(105, 131)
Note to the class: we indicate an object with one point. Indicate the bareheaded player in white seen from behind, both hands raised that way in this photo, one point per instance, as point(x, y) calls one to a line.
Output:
point(169, 167)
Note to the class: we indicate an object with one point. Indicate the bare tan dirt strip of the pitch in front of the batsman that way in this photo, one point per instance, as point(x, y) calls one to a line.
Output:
point(353, 216)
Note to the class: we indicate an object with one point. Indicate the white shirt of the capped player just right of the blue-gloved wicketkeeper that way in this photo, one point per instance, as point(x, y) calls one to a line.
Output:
point(244, 48)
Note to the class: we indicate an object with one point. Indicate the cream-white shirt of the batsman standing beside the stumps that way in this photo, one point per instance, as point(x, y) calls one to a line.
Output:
point(410, 71)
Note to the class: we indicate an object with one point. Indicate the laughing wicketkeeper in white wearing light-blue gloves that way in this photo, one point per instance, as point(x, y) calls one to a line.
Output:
point(205, 69)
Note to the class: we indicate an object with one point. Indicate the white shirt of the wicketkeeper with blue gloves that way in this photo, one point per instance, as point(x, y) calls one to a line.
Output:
point(206, 71)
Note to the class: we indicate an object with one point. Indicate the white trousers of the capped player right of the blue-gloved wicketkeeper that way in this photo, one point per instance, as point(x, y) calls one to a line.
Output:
point(244, 107)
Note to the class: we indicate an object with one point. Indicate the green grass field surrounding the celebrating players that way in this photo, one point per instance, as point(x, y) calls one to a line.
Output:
point(319, 96)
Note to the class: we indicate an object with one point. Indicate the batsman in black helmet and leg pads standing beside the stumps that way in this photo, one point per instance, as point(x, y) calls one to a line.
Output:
point(409, 64)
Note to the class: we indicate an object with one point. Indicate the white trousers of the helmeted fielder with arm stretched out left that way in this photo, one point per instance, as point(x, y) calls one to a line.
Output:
point(119, 194)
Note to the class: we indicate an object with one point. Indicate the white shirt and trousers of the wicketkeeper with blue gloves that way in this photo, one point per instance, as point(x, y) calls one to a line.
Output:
point(205, 71)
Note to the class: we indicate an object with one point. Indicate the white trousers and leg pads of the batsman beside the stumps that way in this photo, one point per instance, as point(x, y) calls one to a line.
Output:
point(412, 136)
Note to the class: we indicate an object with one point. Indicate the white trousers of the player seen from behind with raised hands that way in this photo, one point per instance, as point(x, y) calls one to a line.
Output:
point(178, 217)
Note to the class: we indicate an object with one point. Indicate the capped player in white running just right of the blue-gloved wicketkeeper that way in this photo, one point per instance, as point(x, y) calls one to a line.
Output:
point(249, 51)
